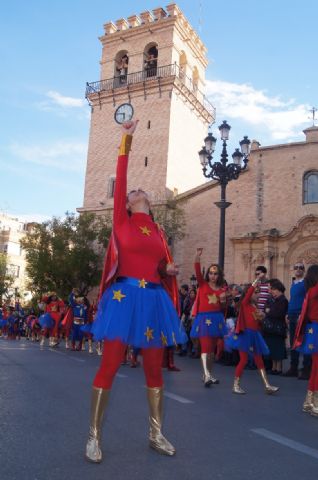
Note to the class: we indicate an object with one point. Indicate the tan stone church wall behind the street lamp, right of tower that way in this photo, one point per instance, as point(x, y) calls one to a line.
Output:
point(267, 222)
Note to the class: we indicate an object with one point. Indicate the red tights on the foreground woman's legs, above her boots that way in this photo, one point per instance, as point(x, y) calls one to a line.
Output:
point(113, 355)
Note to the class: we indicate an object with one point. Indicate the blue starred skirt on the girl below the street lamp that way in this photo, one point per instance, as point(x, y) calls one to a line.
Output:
point(209, 324)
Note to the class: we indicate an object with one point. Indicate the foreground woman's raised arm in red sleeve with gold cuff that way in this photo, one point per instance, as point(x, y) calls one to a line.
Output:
point(120, 194)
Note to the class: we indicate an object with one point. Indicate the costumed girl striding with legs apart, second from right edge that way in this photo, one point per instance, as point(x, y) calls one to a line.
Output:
point(248, 339)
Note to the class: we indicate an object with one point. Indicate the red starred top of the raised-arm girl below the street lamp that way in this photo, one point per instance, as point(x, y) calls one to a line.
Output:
point(208, 298)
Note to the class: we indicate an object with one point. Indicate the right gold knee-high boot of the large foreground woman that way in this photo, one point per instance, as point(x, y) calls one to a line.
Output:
point(156, 440)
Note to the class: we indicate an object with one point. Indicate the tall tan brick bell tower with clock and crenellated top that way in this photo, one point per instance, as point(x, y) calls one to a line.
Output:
point(156, 62)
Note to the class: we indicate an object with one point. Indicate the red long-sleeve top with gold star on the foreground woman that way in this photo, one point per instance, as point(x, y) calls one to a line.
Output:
point(140, 247)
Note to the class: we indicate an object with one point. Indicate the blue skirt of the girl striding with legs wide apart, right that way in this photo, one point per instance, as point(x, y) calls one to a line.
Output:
point(249, 341)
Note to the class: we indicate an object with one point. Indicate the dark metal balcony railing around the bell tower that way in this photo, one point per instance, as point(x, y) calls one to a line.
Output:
point(145, 76)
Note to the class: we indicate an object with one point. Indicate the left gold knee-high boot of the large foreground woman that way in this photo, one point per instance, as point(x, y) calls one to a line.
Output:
point(99, 401)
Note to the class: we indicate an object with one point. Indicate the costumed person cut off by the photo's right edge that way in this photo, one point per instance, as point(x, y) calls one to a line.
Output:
point(306, 337)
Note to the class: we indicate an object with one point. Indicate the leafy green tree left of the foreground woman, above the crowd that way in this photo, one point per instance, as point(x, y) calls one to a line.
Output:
point(65, 253)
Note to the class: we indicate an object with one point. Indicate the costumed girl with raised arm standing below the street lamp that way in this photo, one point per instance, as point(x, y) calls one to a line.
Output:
point(209, 324)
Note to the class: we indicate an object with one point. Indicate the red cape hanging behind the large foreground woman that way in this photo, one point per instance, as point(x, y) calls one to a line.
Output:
point(111, 265)
